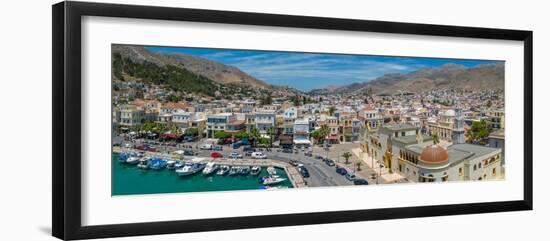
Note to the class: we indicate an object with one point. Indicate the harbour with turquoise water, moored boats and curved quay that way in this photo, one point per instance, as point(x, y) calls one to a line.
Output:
point(153, 173)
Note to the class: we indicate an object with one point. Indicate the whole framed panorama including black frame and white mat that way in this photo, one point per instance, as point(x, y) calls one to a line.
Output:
point(170, 120)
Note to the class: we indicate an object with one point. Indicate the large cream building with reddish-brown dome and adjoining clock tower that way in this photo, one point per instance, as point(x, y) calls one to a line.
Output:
point(403, 149)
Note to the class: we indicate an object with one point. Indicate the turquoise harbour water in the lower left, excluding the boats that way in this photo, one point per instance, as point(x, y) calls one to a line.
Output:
point(129, 179)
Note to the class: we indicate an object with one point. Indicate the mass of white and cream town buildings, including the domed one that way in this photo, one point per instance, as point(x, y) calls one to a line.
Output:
point(397, 131)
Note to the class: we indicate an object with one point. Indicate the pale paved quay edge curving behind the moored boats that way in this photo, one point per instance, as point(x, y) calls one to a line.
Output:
point(292, 172)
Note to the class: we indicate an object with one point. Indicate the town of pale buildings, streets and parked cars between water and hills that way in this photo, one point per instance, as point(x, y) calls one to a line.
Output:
point(326, 140)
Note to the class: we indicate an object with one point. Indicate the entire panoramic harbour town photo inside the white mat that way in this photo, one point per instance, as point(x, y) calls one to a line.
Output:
point(195, 119)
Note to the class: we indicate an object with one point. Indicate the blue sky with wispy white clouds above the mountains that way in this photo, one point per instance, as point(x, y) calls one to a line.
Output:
point(306, 71)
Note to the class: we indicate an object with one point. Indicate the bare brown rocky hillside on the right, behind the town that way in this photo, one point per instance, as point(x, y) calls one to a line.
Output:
point(450, 76)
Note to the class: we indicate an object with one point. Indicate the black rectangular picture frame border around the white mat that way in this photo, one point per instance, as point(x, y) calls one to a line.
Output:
point(66, 59)
